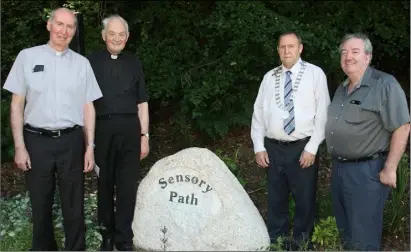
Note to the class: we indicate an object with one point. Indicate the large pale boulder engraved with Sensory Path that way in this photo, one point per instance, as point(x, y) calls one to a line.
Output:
point(192, 201)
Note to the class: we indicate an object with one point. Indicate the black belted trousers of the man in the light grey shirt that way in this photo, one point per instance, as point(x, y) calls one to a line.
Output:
point(62, 156)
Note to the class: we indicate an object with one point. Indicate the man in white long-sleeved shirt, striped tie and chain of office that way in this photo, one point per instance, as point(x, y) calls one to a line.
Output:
point(287, 128)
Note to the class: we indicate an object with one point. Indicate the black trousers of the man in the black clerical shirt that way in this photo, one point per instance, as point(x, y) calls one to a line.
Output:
point(118, 144)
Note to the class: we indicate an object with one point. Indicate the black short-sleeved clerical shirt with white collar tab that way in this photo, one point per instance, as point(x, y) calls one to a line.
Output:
point(121, 81)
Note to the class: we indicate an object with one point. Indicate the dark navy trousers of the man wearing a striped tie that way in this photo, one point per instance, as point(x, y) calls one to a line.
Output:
point(284, 175)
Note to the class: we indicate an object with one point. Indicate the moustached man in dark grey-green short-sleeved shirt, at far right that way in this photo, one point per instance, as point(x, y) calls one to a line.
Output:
point(366, 134)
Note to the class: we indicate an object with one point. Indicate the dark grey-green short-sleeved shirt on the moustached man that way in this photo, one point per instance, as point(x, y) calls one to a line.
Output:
point(361, 123)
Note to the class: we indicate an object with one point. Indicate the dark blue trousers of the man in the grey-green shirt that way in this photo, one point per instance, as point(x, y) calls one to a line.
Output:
point(358, 199)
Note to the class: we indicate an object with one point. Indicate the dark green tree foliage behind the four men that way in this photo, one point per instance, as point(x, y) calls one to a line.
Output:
point(204, 60)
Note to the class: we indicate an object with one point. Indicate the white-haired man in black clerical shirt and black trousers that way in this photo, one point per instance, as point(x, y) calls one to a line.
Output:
point(121, 133)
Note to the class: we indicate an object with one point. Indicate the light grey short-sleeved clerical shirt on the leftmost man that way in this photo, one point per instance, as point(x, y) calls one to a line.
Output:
point(56, 85)
